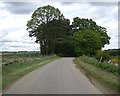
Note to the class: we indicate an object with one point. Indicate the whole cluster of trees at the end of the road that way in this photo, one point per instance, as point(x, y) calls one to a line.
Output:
point(56, 35)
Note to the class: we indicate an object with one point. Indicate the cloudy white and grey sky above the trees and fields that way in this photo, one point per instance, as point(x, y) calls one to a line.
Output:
point(14, 17)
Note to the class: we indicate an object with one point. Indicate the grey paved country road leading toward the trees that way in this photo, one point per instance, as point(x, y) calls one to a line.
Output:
point(58, 77)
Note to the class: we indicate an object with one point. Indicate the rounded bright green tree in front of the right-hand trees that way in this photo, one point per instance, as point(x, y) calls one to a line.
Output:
point(86, 42)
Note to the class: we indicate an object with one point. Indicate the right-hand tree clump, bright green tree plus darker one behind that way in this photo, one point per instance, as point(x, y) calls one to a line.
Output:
point(88, 36)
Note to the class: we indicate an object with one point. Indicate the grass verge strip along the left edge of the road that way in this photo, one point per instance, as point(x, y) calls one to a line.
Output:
point(15, 71)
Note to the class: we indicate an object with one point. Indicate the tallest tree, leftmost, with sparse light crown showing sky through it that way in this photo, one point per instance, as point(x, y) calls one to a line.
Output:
point(38, 21)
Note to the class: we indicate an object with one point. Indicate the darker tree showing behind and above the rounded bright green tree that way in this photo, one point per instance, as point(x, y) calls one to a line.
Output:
point(89, 24)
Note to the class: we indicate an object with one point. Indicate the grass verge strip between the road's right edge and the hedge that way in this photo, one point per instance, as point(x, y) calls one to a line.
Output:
point(105, 78)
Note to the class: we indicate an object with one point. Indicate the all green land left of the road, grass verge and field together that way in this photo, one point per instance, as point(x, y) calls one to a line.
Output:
point(12, 71)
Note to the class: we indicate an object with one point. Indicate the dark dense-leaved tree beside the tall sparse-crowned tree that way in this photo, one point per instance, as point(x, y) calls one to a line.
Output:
point(57, 32)
